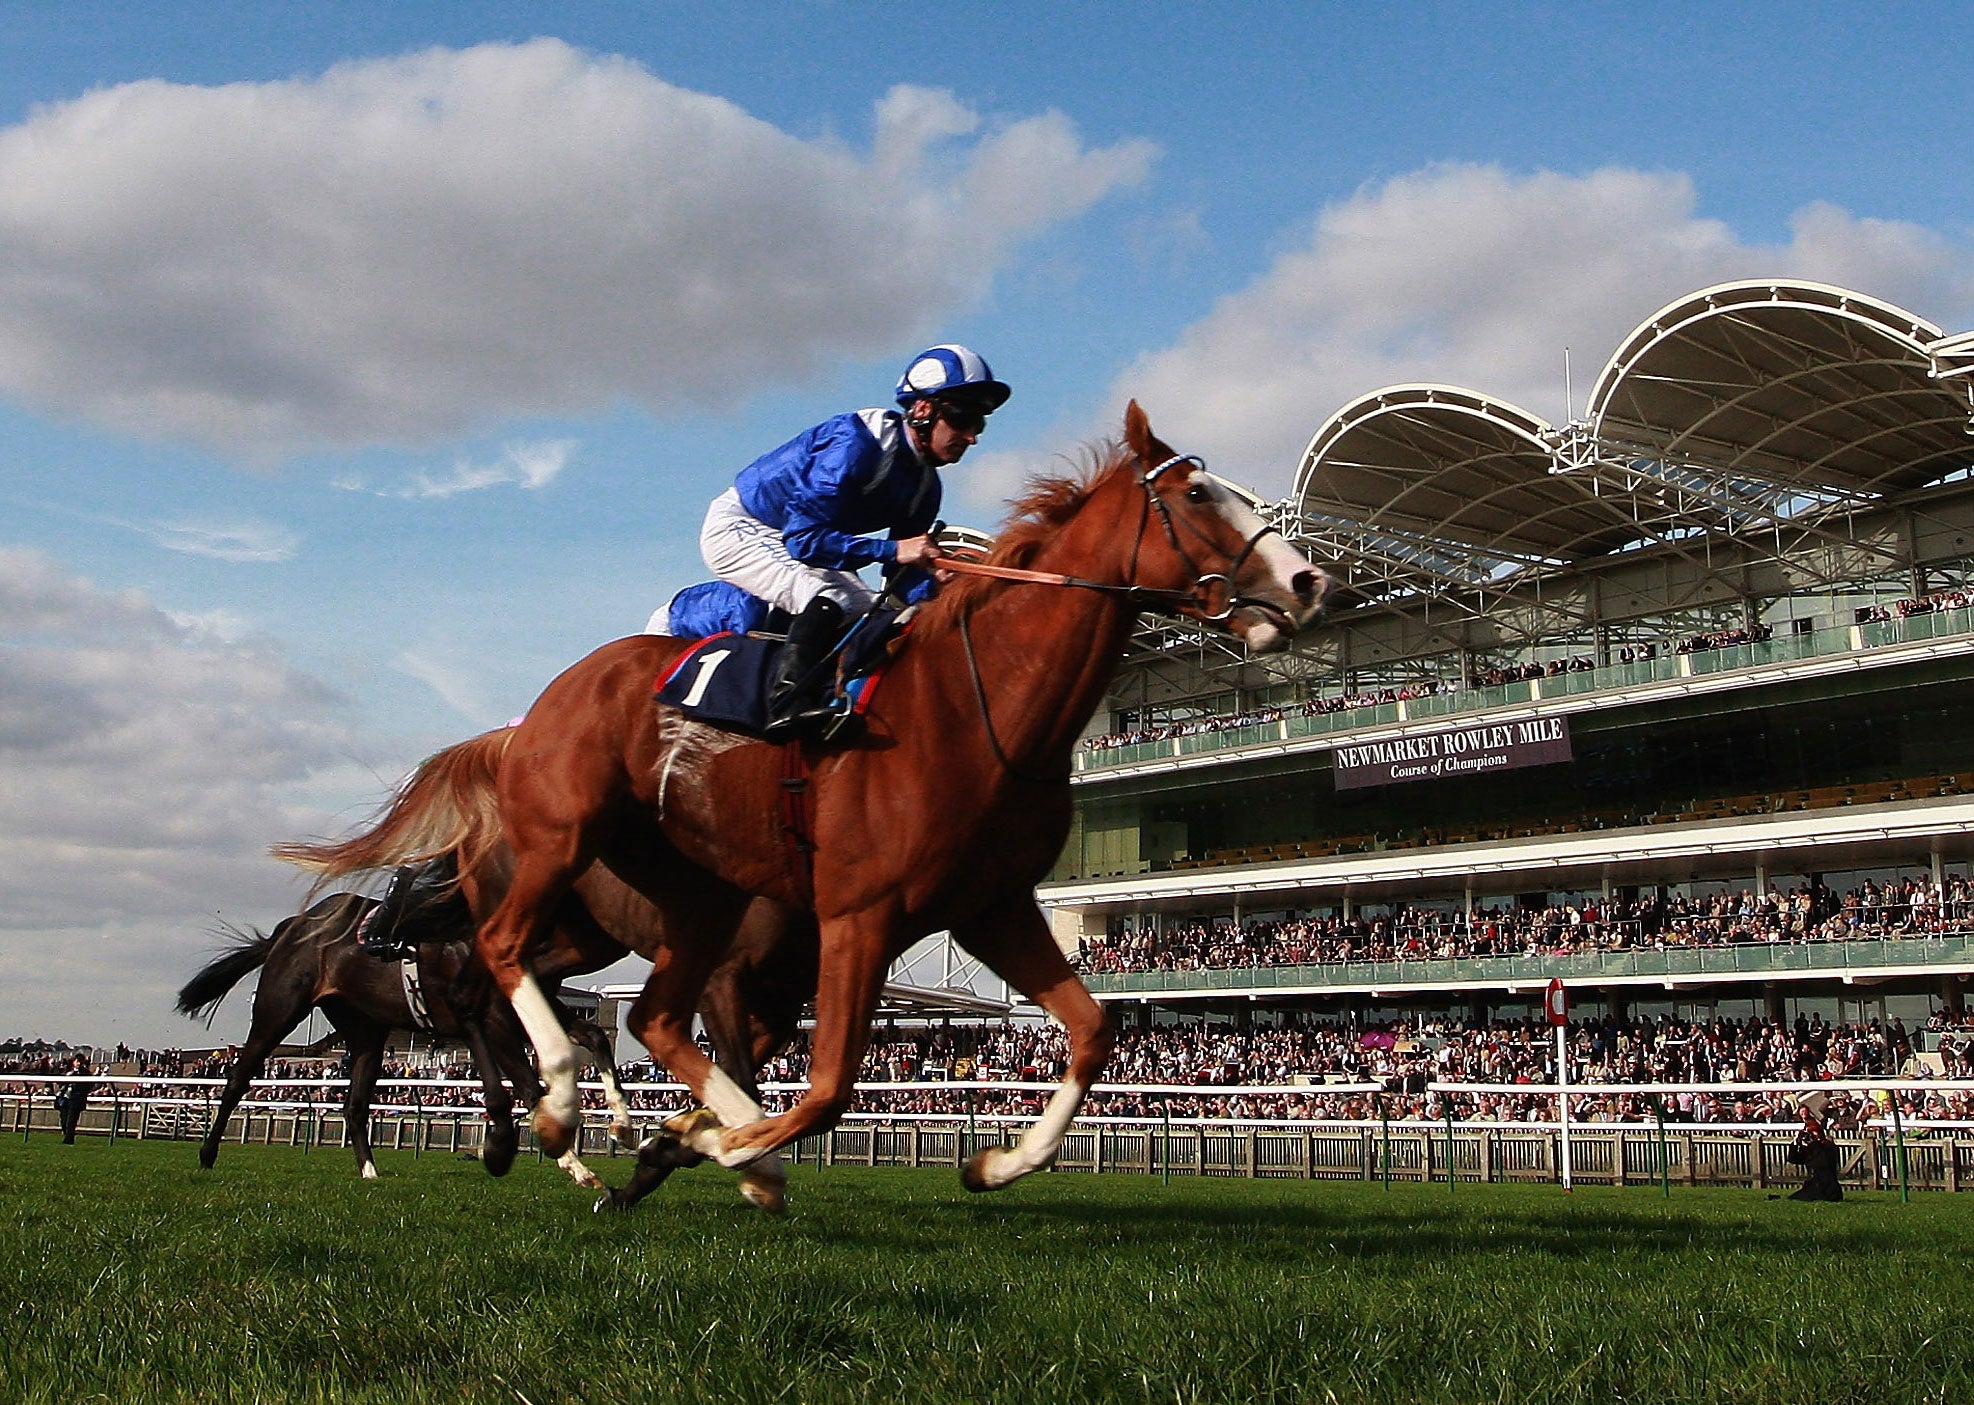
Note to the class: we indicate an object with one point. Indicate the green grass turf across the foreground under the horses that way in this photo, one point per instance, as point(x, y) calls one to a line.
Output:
point(131, 1276)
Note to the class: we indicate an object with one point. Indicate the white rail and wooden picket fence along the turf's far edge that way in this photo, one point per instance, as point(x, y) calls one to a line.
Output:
point(1886, 1149)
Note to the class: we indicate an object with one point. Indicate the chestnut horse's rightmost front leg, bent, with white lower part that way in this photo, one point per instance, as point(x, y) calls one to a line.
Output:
point(1020, 948)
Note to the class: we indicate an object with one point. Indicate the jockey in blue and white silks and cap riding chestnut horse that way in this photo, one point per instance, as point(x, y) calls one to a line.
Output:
point(795, 528)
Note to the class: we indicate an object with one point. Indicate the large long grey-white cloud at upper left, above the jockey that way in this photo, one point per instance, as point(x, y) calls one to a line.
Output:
point(404, 250)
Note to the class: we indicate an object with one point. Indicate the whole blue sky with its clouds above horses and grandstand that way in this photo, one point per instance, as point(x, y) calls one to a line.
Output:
point(366, 364)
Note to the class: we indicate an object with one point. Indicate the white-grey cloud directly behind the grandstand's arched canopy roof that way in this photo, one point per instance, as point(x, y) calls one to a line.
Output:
point(1480, 277)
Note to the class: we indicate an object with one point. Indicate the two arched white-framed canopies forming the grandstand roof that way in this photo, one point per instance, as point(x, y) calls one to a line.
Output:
point(1740, 406)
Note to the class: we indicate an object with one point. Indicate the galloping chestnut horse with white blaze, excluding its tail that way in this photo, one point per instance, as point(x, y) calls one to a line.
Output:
point(943, 818)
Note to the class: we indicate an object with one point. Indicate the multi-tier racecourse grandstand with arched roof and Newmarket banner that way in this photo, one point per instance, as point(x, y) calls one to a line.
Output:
point(1669, 702)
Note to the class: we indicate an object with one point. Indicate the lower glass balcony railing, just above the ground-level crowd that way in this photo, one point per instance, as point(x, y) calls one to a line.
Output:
point(1574, 966)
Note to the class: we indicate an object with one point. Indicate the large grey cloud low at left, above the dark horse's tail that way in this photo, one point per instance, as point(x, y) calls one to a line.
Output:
point(147, 765)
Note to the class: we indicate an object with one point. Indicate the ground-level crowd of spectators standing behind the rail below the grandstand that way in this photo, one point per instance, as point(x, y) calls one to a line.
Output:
point(1403, 1061)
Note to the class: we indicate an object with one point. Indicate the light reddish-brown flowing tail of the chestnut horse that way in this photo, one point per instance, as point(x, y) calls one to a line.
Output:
point(447, 808)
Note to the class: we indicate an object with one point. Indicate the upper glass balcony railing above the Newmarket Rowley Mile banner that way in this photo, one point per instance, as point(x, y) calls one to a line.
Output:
point(1922, 629)
